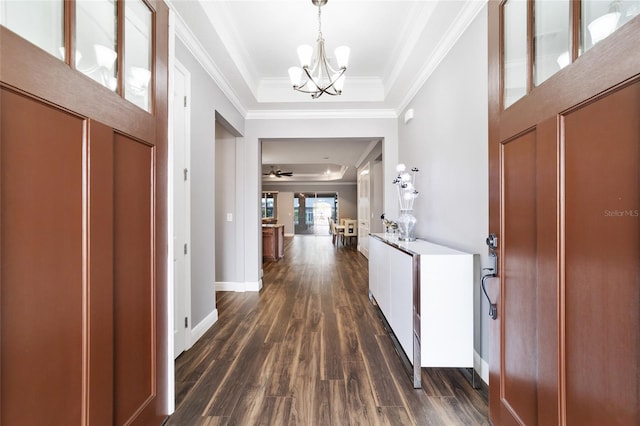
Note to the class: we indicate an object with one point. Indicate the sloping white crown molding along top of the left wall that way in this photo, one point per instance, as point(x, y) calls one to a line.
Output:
point(194, 46)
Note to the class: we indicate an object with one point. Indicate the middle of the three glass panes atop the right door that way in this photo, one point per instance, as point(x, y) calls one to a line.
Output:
point(551, 38)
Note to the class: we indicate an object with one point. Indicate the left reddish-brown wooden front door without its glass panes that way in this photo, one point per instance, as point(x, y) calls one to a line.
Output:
point(83, 243)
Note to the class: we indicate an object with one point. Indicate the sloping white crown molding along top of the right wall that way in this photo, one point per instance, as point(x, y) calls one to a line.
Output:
point(455, 31)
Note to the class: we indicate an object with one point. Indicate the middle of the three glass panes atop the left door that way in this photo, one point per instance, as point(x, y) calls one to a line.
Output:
point(96, 41)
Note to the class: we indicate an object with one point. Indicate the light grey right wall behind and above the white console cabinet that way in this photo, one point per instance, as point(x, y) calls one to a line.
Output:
point(447, 141)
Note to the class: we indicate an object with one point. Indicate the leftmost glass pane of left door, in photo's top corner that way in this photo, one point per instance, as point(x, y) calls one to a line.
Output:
point(40, 22)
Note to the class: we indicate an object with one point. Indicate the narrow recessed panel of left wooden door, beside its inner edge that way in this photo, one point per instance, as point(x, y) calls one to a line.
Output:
point(134, 286)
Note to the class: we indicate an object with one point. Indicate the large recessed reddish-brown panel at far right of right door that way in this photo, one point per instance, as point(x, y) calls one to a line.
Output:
point(601, 292)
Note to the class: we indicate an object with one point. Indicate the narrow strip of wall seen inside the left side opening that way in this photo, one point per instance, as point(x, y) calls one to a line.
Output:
point(225, 197)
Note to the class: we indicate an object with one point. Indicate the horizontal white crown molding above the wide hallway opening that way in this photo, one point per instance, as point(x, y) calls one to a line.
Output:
point(320, 114)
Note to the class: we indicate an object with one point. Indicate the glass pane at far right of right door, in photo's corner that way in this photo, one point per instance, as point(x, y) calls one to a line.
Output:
point(601, 18)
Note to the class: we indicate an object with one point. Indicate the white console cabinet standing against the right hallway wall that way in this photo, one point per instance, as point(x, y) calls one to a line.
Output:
point(425, 292)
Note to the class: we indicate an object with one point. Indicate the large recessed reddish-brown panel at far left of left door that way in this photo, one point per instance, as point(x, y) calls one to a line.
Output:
point(43, 290)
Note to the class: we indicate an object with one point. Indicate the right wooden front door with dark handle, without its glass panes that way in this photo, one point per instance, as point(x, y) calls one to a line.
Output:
point(565, 203)
